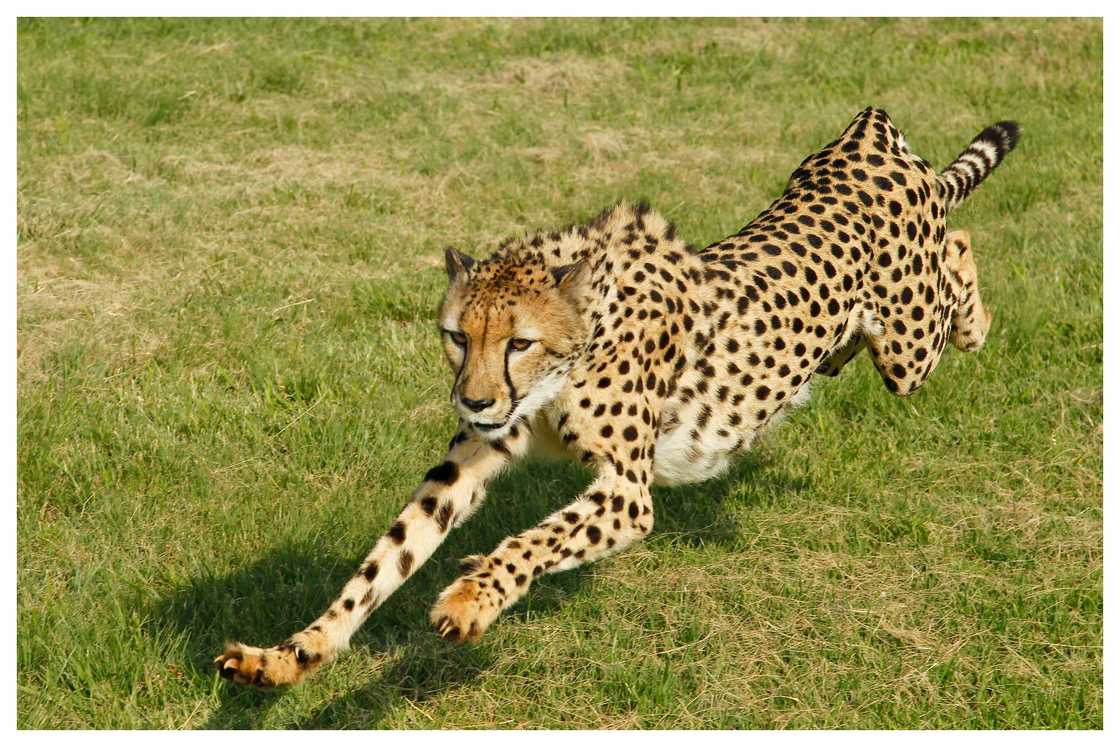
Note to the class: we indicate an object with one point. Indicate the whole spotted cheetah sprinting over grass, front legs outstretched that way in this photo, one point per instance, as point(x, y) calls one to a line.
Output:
point(651, 362)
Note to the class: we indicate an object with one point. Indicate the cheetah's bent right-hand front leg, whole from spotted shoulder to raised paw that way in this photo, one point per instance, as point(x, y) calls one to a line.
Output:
point(612, 428)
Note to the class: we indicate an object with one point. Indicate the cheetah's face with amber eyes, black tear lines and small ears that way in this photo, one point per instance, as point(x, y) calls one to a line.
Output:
point(509, 326)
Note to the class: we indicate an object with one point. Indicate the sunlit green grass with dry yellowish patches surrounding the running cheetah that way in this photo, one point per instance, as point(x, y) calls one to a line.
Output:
point(230, 240)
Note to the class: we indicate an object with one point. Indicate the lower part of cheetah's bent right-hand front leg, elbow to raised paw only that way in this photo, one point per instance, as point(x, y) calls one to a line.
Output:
point(611, 515)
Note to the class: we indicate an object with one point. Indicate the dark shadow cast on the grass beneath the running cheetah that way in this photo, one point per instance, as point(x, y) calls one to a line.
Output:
point(279, 594)
